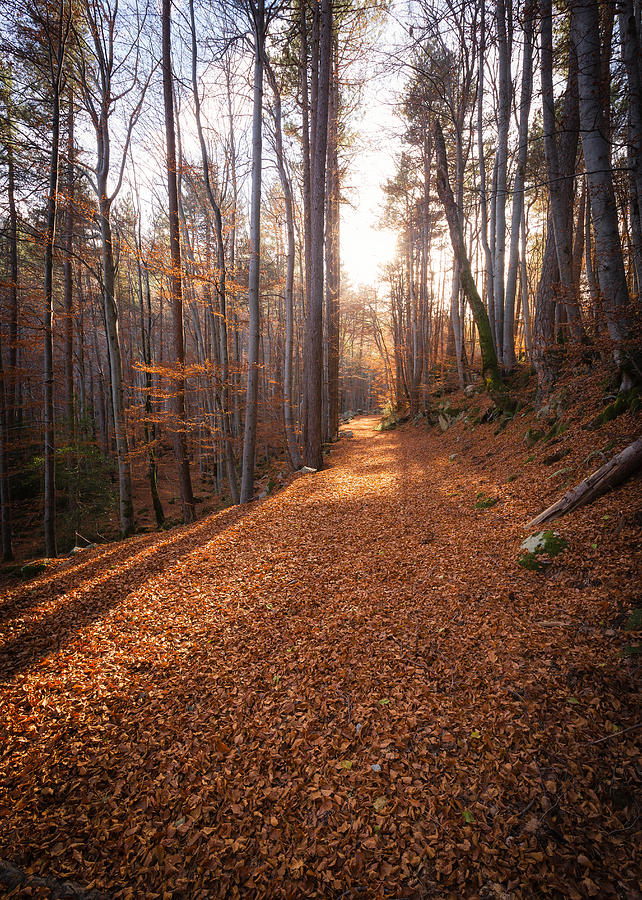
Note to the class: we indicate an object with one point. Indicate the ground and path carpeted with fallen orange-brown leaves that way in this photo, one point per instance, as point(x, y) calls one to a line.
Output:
point(348, 689)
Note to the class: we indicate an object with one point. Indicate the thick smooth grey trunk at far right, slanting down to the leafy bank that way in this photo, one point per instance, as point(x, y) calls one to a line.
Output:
point(585, 34)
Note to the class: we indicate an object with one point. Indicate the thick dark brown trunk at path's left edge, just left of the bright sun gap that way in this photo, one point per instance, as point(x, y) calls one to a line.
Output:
point(313, 362)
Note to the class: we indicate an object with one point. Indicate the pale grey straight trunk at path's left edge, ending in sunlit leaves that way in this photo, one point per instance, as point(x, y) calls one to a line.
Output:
point(251, 397)
